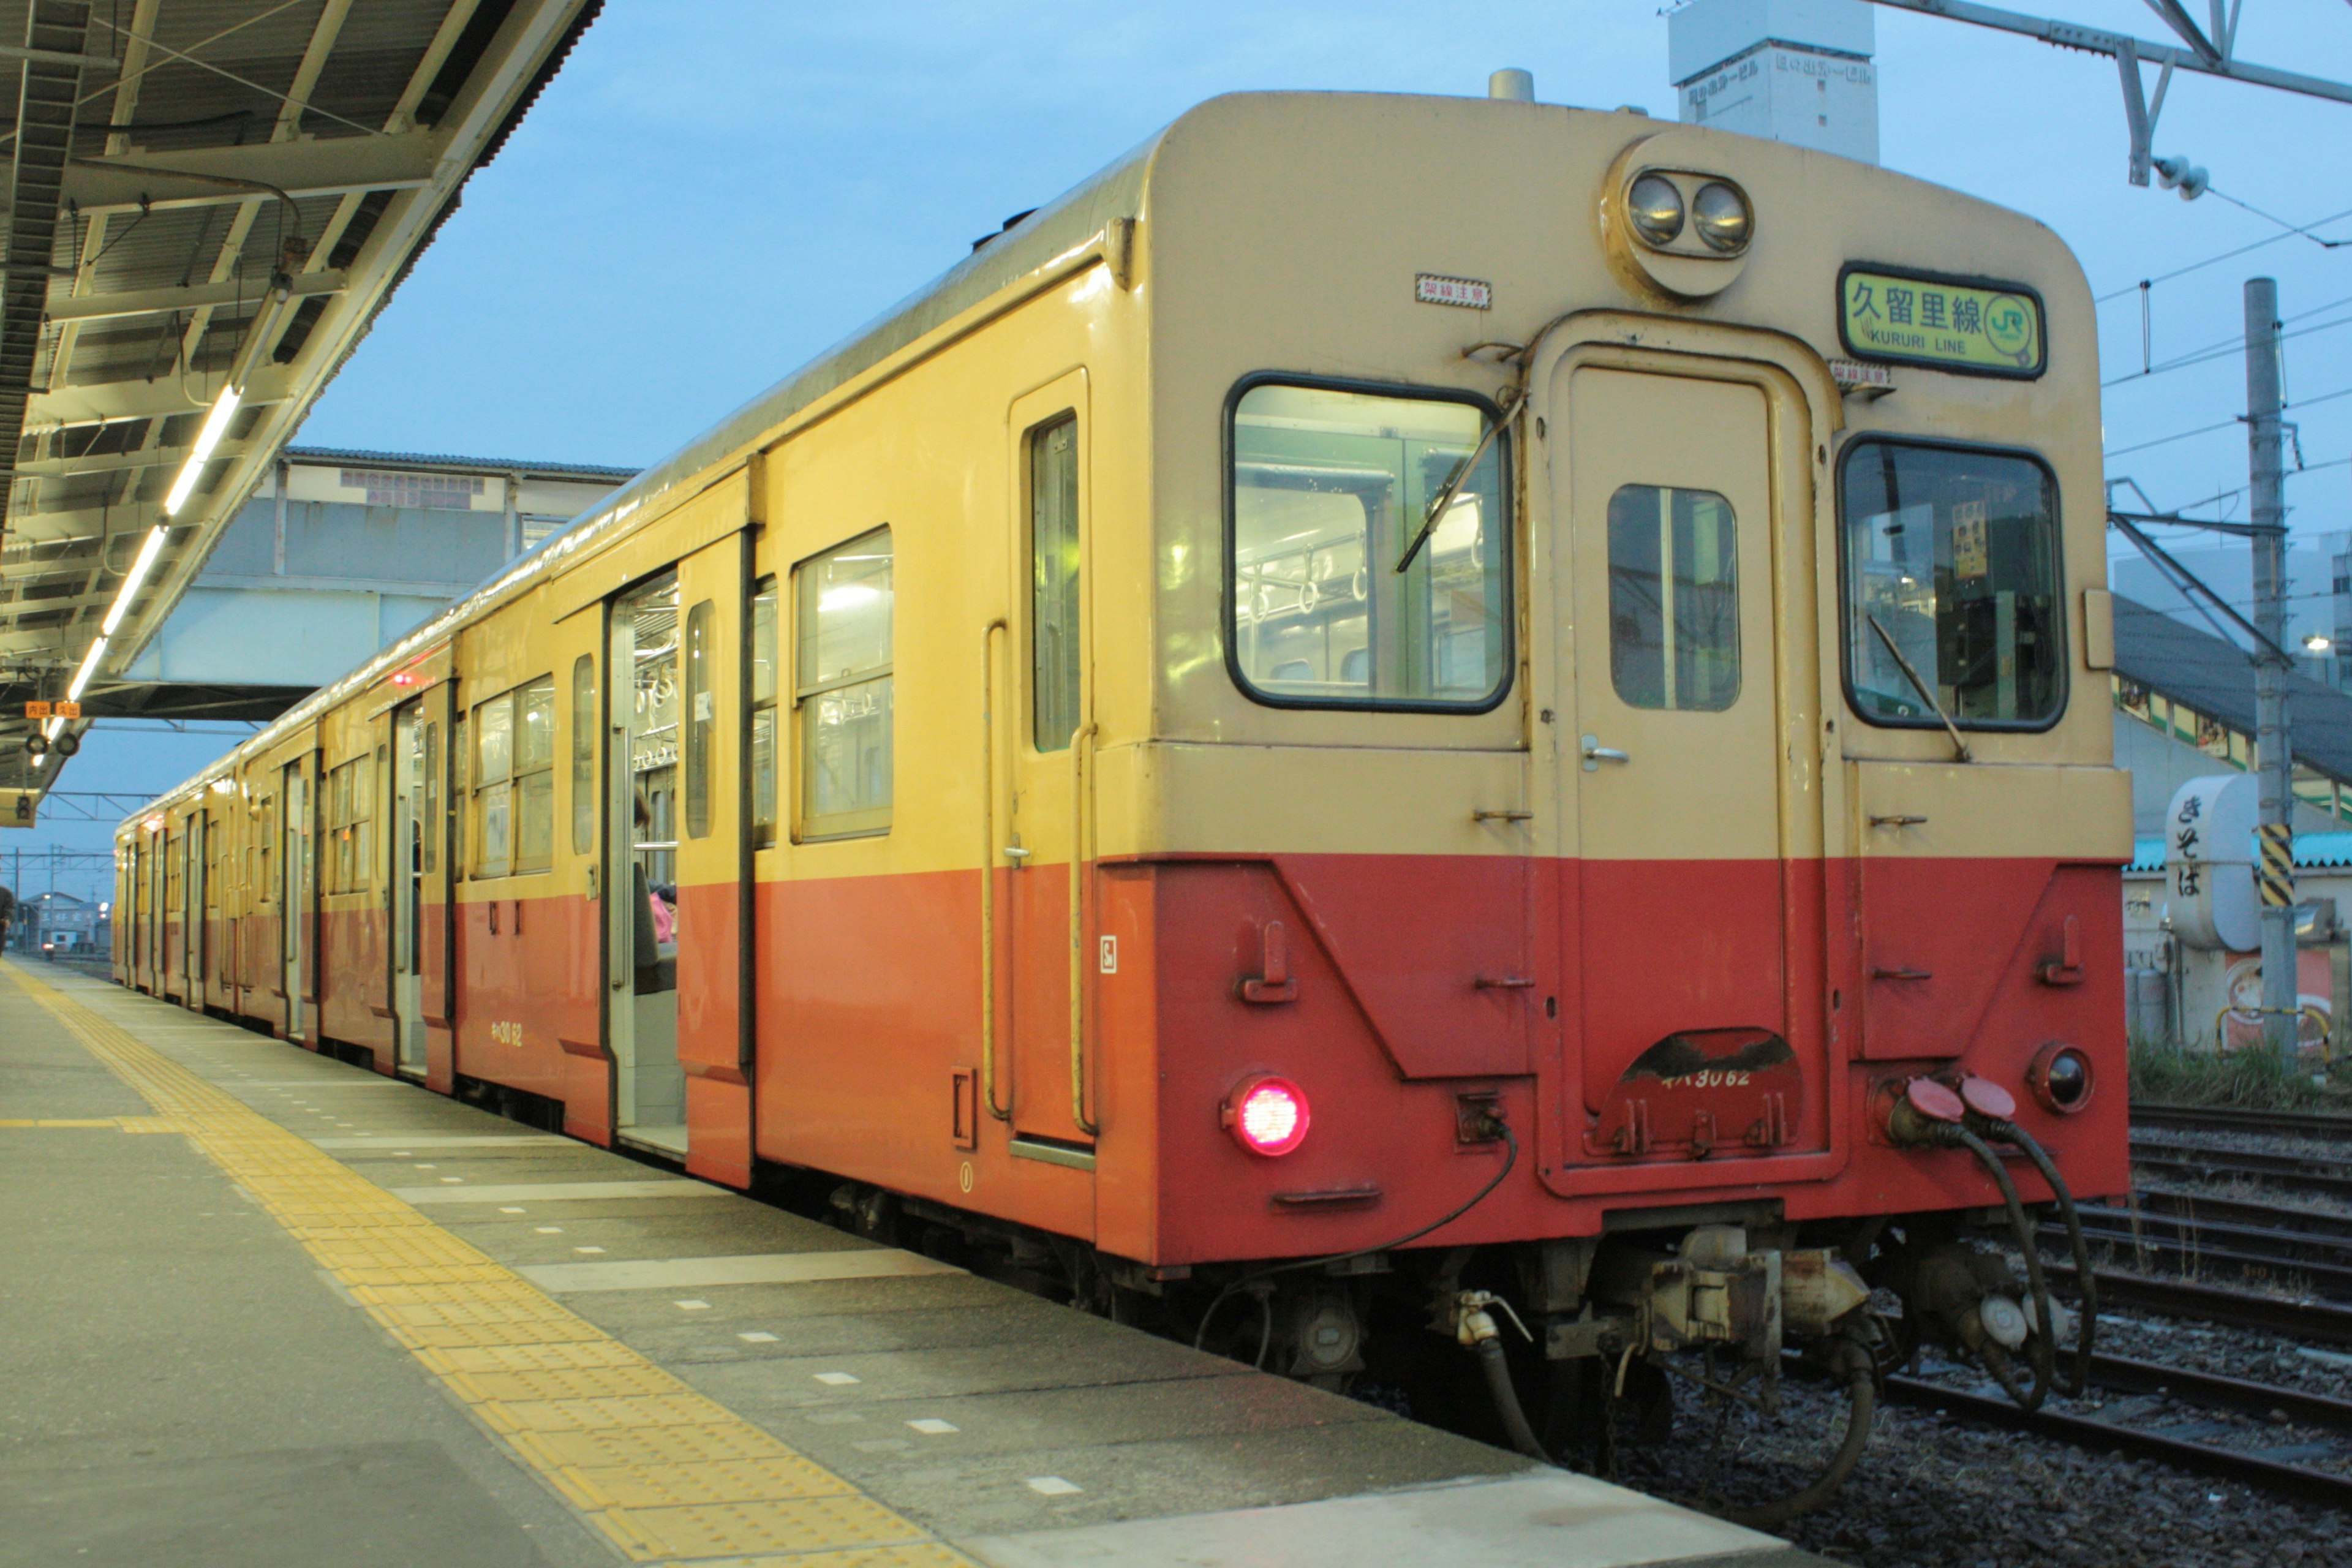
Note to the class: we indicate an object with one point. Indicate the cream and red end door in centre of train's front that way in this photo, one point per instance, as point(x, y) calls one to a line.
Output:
point(1683, 525)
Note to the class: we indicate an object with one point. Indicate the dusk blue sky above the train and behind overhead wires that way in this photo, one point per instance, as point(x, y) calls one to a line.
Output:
point(714, 192)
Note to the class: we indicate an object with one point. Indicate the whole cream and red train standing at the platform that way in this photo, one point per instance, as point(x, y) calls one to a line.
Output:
point(1497, 725)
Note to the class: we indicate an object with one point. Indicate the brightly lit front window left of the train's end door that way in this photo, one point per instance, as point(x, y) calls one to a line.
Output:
point(1330, 492)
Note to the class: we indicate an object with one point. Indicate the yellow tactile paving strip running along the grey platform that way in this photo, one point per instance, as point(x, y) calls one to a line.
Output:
point(669, 1475)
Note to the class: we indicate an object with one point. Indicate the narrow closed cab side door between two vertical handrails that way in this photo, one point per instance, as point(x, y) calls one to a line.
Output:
point(1050, 742)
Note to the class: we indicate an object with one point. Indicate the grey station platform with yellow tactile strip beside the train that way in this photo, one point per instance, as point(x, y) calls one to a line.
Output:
point(281, 1313)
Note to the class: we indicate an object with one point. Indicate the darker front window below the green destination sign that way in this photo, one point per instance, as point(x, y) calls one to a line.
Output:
point(1953, 594)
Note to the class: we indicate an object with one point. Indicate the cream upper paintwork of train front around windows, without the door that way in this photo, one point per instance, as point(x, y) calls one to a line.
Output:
point(1285, 234)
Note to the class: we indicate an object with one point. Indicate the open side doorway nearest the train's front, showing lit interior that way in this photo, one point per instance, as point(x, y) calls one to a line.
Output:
point(643, 765)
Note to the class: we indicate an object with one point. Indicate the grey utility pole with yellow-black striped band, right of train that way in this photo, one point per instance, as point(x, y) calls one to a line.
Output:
point(2273, 756)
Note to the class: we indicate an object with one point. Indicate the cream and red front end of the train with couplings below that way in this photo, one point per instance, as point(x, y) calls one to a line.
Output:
point(1631, 829)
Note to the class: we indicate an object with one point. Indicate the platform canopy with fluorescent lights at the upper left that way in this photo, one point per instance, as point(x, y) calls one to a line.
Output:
point(208, 201)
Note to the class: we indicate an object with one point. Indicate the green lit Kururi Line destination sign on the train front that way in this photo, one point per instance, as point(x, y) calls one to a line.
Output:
point(1965, 326)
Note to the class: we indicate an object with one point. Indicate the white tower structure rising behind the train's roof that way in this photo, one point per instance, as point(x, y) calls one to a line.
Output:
point(1786, 69)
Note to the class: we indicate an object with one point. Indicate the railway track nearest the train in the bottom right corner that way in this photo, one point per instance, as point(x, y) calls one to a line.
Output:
point(2151, 1423)
